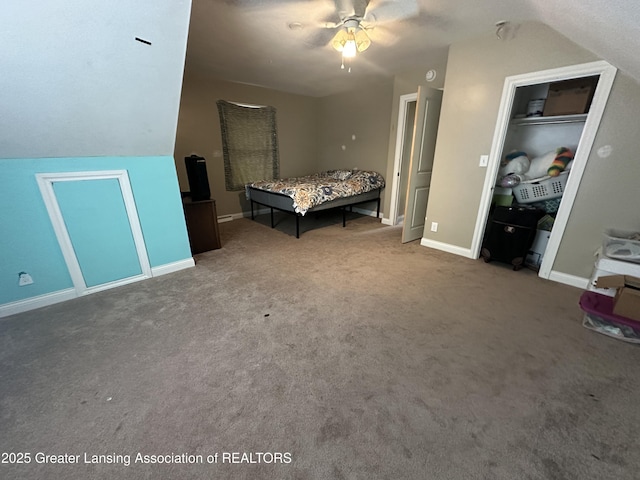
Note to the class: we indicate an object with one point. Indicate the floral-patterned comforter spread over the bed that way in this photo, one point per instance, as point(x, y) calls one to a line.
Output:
point(312, 190)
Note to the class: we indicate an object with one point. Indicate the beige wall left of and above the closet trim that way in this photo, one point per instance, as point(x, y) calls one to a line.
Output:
point(476, 70)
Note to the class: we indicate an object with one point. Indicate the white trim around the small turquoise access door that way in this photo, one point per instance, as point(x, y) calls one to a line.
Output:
point(45, 183)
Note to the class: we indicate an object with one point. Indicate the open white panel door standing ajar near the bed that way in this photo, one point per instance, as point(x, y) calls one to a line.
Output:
point(422, 150)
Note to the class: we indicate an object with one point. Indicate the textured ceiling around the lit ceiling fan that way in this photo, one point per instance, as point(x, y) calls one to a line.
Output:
point(284, 44)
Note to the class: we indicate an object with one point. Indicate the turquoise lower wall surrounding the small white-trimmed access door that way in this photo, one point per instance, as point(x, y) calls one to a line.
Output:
point(28, 242)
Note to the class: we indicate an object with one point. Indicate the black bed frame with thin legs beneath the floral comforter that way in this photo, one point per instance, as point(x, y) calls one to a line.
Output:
point(284, 203)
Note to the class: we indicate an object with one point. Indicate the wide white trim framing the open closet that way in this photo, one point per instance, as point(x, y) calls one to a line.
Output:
point(607, 74)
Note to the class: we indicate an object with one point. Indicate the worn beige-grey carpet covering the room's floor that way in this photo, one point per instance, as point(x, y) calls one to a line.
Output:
point(340, 355)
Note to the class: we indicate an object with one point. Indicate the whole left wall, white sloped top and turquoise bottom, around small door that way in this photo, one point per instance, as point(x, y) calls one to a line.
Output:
point(79, 93)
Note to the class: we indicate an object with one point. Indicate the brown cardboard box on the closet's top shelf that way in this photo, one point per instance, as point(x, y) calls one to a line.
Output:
point(570, 97)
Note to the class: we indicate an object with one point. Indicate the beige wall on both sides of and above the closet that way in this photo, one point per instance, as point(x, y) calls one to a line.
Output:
point(608, 194)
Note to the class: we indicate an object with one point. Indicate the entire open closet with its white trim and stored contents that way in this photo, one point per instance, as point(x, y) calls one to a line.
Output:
point(527, 142)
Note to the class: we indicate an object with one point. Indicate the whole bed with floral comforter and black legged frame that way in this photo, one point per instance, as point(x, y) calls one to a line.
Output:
point(320, 191)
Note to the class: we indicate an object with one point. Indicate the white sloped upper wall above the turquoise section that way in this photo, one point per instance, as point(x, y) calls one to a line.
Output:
point(77, 83)
